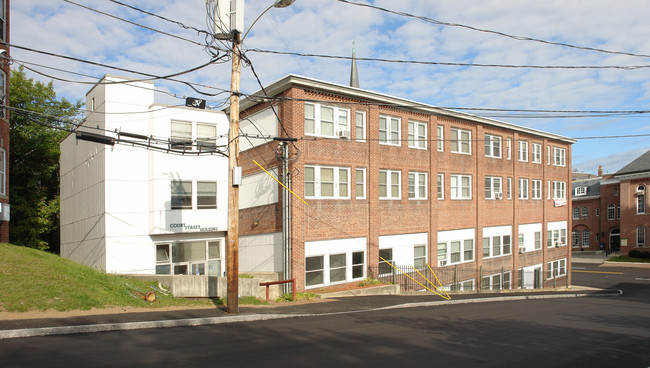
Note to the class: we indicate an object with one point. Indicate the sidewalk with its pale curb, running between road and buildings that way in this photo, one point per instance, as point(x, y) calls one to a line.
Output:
point(212, 316)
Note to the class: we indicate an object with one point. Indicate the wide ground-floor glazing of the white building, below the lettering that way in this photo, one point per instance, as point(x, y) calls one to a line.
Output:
point(200, 257)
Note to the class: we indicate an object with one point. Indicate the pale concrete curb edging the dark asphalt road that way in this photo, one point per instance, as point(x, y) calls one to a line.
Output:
point(66, 330)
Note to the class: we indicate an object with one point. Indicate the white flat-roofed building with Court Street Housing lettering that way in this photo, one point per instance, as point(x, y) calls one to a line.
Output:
point(130, 209)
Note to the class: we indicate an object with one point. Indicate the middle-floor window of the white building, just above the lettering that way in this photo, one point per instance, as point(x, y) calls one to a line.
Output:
point(188, 195)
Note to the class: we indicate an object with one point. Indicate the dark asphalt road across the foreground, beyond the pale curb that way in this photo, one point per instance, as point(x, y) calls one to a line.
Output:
point(575, 332)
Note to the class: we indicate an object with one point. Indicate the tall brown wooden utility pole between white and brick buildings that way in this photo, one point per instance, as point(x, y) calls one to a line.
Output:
point(232, 239)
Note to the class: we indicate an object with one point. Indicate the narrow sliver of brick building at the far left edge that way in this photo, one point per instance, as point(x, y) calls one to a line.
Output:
point(4, 122)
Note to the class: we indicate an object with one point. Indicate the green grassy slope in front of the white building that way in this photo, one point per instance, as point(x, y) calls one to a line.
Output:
point(34, 280)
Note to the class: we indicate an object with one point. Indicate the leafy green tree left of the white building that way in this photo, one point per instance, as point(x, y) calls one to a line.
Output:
point(38, 122)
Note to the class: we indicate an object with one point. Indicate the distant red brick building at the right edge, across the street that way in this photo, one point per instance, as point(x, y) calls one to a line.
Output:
point(611, 212)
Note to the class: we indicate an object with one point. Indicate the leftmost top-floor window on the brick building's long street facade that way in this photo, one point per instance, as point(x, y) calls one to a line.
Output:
point(327, 121)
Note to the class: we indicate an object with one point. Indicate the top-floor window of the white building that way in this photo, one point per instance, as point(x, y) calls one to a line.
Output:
point(185, 133)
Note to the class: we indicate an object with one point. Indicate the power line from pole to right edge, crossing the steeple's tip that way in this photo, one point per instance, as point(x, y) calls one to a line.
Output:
point(512, 66)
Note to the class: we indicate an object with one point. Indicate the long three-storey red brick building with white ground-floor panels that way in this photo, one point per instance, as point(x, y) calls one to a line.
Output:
point(483, 202)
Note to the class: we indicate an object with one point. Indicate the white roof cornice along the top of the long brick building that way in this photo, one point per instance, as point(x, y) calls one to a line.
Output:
point(293, 80)
